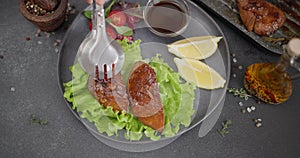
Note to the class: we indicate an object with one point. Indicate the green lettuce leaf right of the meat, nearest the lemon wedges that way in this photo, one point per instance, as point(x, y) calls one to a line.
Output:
point(177, 97)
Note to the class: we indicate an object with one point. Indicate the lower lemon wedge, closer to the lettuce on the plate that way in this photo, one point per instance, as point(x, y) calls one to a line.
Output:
point(199, 73)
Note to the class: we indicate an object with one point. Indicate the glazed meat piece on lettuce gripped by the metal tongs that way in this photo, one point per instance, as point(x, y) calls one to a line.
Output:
point(109, 91)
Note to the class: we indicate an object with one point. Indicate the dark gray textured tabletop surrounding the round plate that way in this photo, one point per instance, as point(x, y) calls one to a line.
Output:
point(30, 68)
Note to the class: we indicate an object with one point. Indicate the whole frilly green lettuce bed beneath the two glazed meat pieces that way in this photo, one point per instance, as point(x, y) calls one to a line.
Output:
point(177, 99)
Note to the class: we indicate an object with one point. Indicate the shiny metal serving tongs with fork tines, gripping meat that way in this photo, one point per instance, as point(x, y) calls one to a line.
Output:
point(97, 50)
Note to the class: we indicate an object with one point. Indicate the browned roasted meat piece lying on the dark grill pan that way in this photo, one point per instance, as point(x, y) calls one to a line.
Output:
point(261, 16)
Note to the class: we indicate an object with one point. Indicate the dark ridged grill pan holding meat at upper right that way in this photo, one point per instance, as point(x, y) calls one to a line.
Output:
point(227, 9)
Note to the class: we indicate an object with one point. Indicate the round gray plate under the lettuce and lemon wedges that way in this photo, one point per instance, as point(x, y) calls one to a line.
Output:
point(200, 25)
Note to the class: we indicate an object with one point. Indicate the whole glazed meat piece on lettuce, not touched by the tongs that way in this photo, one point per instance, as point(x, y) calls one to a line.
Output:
point(144, 96)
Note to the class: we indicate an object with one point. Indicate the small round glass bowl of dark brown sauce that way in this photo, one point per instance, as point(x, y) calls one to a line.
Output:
point(167, 17)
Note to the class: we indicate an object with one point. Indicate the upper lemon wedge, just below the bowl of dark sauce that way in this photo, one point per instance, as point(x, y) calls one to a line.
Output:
point(195, 48)
